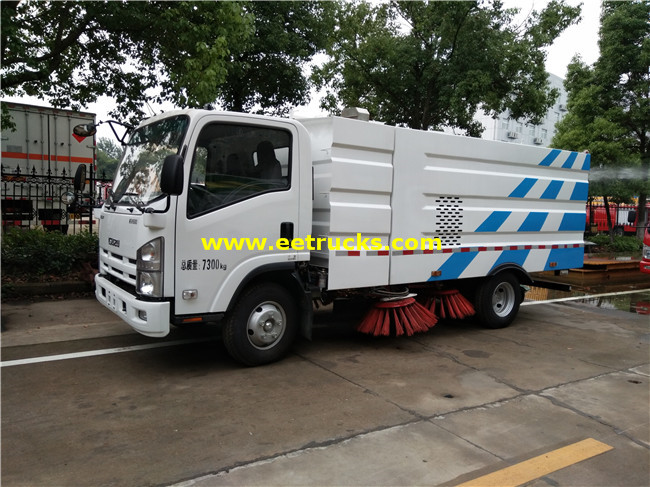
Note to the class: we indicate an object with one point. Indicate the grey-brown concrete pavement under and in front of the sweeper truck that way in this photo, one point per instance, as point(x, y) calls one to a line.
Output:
point(439, 408)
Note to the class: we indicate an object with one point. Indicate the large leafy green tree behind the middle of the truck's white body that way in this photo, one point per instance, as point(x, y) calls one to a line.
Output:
point(431, 64)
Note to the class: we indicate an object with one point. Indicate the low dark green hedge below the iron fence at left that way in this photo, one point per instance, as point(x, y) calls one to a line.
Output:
point(34, 253)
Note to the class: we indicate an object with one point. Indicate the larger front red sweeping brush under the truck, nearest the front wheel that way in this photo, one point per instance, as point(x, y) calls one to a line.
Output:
point(403, 316)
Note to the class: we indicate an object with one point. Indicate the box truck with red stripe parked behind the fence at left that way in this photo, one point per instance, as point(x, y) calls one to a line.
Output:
point(39, 160)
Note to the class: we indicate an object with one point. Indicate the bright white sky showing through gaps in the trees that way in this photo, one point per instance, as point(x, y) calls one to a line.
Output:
point(581, 38)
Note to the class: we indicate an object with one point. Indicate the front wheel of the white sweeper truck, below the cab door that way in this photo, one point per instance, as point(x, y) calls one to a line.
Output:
point(262, 325)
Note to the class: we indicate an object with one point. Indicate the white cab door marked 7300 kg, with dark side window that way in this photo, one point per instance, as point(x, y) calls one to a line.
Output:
point(241, 195)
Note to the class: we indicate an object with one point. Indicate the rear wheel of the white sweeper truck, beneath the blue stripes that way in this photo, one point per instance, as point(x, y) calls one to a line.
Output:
point(498, 299)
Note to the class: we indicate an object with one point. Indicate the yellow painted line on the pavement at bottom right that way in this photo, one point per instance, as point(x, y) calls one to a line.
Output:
point(541, 465)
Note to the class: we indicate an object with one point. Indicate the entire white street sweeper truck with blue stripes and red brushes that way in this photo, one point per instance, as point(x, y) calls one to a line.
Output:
point(247, 219)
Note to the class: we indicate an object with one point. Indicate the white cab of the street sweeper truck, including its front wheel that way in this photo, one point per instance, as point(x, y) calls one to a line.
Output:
point(162, 257)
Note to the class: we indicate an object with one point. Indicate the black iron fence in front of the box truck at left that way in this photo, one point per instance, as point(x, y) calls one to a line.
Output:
point(31, 200)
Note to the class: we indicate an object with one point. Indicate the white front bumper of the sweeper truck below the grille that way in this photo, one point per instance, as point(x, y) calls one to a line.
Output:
point(132, 310)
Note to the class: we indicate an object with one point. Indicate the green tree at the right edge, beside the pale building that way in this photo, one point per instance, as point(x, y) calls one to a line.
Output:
point(609, 108)
